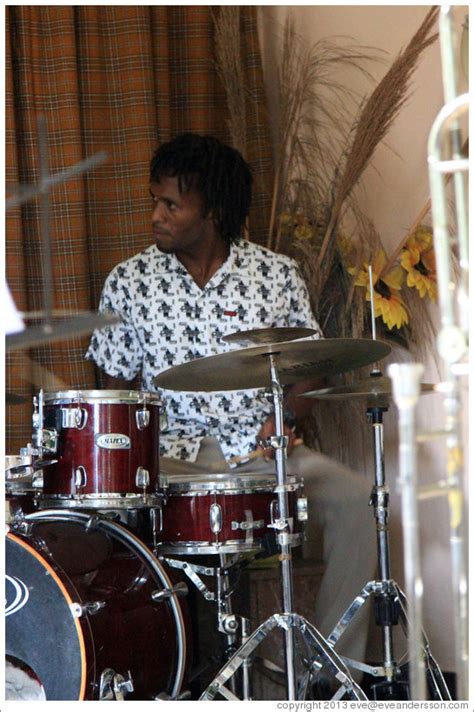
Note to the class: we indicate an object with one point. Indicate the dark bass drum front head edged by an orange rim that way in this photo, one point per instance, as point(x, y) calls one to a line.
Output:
point(40, 628)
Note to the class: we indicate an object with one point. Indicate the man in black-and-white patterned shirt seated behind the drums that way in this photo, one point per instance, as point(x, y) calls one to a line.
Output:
point(197, 282)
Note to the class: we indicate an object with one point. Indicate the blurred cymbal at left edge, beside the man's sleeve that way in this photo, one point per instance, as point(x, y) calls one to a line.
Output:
point(58, 331)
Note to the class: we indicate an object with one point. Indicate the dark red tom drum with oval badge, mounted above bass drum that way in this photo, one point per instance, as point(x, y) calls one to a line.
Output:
point(107, 447)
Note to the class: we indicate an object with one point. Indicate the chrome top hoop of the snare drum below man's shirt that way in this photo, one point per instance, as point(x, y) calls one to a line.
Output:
point(232, 484)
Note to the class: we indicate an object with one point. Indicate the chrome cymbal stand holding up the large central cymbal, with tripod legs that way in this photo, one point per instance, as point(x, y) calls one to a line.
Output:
point(320, 651)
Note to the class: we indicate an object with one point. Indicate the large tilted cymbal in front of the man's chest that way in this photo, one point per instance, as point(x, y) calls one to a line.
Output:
point(250, 368)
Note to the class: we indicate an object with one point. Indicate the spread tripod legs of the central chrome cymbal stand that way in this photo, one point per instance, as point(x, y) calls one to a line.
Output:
point(320, 652)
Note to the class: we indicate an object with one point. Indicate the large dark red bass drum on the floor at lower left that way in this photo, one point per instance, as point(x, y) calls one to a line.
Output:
point(90, 612)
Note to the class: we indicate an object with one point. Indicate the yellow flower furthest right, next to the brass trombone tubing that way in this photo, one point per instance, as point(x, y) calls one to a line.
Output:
point(418, 259)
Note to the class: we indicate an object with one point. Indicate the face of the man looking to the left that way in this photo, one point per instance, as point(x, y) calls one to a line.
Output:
point(177, 218)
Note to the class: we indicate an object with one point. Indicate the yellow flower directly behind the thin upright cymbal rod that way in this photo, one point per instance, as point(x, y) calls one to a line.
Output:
point(387, 303)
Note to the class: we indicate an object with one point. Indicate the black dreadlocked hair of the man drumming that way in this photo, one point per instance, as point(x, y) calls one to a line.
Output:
point(217, 171)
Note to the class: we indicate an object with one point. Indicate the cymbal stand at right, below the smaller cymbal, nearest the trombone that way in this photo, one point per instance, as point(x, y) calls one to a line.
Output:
point(389, 600)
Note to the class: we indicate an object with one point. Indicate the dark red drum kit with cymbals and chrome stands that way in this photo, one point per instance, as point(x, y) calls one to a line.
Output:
point(100, 542)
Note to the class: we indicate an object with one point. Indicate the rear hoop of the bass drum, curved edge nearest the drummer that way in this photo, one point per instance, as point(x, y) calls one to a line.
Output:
point(125, 536)
